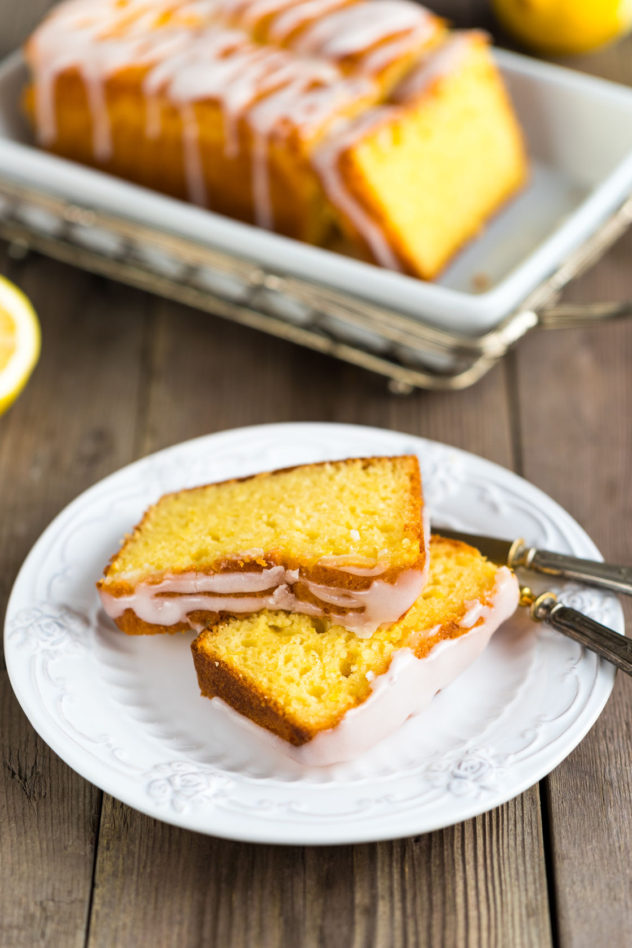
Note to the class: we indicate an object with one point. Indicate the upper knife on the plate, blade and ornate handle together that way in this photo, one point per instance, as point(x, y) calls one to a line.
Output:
point(518, 555)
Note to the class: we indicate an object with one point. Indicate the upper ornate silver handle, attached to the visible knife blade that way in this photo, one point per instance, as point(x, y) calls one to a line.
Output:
point(605, 575)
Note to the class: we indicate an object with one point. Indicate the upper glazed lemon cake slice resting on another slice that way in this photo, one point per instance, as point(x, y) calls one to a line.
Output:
point(343, 539)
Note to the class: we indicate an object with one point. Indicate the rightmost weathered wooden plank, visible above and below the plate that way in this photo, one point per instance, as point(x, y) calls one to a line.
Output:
point(575, 392)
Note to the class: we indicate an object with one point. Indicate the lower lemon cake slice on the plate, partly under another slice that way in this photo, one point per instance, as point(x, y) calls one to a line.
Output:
point(330, 695)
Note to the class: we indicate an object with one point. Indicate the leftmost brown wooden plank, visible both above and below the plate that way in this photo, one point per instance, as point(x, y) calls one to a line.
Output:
point(73, 424)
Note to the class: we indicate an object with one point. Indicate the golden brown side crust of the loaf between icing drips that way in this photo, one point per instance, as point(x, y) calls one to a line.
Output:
point(158, 163)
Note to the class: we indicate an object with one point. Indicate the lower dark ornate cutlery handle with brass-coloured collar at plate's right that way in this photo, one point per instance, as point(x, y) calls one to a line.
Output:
point(598, 638)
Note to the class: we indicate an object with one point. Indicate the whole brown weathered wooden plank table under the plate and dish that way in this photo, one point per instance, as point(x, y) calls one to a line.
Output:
point(122, 374)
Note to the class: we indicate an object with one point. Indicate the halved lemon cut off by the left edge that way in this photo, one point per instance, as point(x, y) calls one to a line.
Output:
point(19, 342)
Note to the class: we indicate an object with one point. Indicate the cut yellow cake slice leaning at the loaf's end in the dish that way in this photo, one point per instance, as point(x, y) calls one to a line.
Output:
point(414, 179)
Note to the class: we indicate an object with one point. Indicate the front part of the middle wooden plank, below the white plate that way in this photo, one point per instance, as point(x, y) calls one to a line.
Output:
point(452, 888)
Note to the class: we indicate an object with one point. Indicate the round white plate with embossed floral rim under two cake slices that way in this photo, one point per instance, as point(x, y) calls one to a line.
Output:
point(125, 712)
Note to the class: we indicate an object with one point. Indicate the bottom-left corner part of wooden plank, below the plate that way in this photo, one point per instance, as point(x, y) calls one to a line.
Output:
point(48, 824)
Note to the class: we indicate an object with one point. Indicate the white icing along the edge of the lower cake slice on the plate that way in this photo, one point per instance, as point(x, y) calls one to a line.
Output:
point(407, 688)
